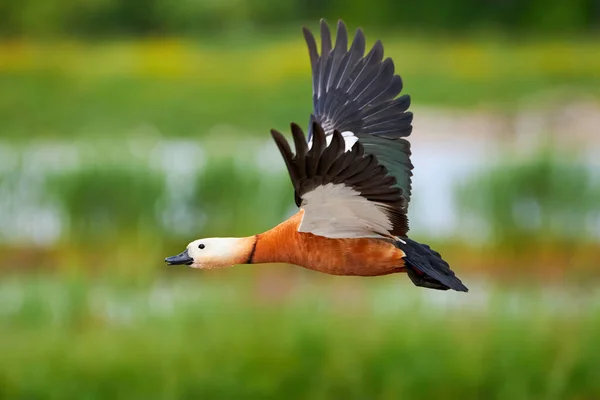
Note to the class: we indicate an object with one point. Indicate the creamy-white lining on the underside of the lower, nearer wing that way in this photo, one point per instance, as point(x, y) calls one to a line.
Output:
point(338, 211)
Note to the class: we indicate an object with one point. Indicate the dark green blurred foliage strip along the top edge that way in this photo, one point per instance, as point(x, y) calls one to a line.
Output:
point(153, 17)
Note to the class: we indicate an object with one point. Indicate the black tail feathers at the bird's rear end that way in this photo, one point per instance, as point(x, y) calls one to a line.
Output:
point(426, 268)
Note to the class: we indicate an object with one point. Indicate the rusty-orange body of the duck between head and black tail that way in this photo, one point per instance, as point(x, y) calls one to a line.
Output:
point(362, 257)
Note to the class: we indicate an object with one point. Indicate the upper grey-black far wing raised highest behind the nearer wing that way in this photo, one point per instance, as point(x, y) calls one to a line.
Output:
point(356, 94)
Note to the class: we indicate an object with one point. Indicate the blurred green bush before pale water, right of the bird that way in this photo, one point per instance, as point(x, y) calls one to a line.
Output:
point(547, 197)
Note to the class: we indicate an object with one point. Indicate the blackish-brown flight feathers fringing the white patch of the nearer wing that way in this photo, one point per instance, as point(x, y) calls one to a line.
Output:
point(324, 164)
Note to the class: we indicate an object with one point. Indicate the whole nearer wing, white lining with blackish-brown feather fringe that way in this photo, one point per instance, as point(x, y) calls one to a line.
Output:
point(344, 194)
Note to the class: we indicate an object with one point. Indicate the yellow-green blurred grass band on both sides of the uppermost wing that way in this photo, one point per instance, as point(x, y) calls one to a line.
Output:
point(185, 88)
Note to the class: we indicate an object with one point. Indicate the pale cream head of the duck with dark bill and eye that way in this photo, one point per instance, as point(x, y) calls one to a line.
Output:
point(215, 253)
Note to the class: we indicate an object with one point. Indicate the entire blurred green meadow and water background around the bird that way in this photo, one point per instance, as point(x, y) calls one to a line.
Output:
point(129, 128)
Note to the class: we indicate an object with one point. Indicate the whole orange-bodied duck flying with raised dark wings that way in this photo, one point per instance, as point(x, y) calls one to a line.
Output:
point(351, 175)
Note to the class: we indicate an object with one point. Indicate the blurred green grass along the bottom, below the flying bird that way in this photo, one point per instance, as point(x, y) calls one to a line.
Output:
point(63, 339)
